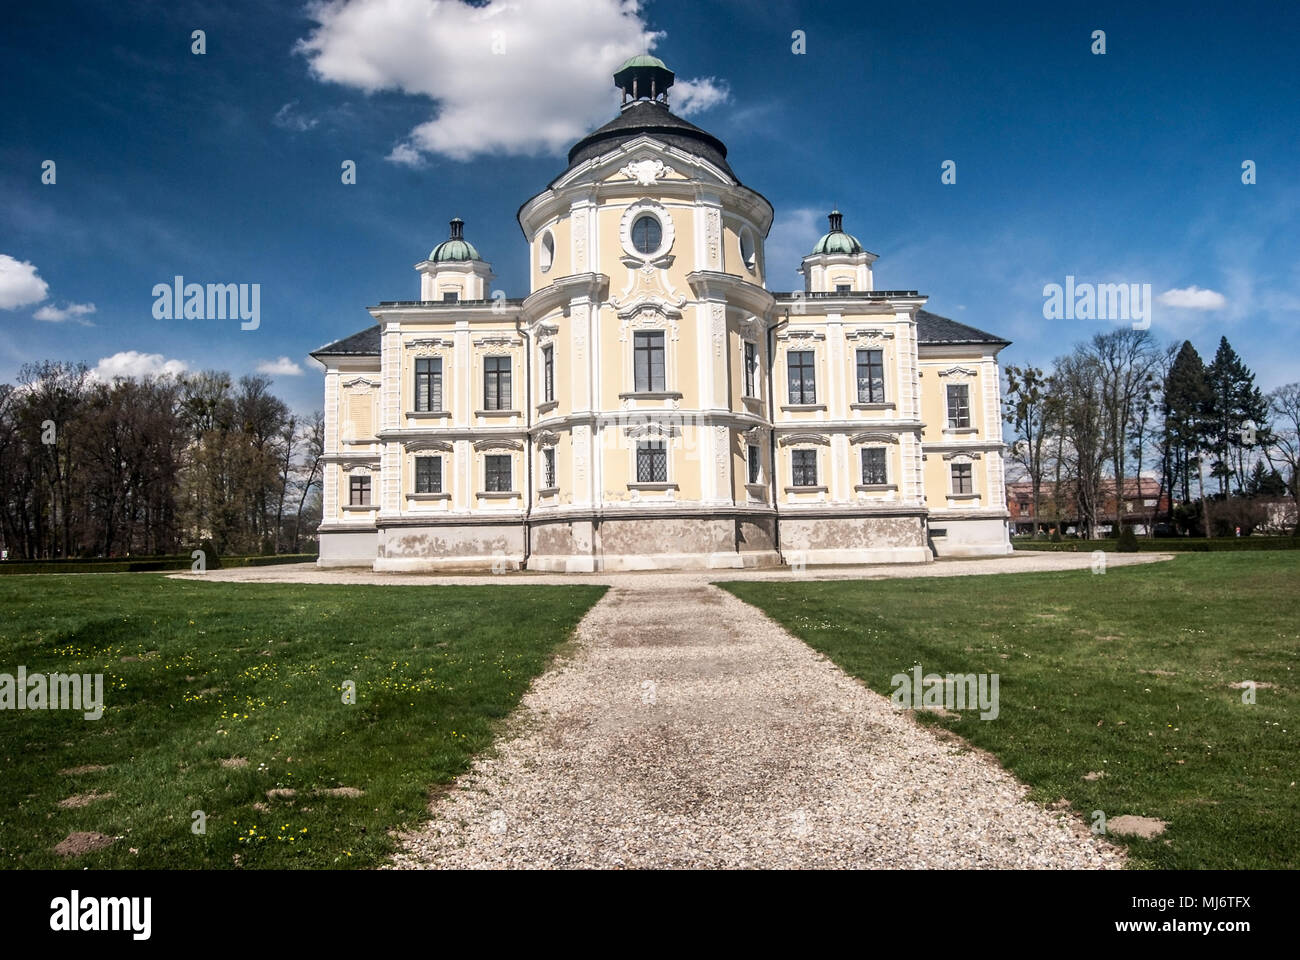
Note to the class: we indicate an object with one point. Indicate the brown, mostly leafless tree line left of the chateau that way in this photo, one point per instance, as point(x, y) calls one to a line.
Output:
point(148, 466)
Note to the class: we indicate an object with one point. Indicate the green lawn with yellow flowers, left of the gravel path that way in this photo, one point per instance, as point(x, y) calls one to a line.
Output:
point(202, 673)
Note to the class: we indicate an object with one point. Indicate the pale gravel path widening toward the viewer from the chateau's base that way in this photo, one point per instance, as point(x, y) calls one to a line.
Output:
point(684, 729)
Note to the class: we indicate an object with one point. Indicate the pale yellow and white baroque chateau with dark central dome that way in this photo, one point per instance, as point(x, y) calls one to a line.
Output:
point(652, 404)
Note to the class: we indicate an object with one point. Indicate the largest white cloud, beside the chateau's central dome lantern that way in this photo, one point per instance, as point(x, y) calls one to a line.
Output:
point(508, 76)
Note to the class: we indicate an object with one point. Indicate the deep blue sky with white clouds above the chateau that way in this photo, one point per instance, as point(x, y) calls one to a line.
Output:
point(227, 167)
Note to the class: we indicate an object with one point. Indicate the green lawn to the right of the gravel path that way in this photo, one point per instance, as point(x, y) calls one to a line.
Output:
point(1126, 674)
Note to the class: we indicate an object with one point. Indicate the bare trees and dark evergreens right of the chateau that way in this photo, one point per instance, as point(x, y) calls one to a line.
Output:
point(1121, 405)
